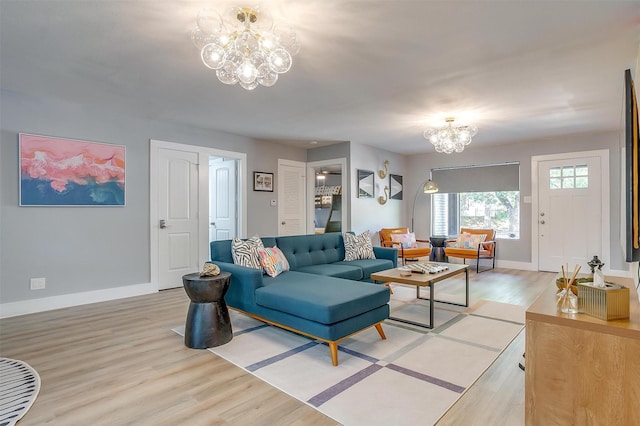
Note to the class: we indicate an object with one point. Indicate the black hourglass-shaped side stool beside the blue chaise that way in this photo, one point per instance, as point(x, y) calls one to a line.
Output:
point(208, 323)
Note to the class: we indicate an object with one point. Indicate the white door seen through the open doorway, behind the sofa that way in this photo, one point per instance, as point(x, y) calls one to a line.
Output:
point(222, 199)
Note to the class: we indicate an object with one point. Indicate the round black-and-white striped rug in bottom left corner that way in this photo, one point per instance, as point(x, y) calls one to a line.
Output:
point(19, 387)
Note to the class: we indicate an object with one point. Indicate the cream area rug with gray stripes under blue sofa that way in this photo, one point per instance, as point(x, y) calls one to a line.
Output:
point(411, 378)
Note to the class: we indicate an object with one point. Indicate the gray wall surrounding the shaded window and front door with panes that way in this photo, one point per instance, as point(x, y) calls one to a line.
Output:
point(419, 167)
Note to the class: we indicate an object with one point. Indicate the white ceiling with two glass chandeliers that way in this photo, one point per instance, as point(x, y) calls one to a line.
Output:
point(369, 71)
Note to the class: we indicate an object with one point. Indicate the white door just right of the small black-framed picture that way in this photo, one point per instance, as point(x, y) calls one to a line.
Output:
point(291, 198)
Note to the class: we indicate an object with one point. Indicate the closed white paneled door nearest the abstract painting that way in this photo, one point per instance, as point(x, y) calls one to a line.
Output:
point(178, 216)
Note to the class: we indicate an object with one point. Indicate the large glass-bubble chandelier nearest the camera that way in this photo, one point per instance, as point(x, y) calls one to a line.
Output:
point(243, 46)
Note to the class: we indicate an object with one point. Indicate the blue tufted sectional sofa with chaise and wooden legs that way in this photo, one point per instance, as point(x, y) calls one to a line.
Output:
point(321, 296)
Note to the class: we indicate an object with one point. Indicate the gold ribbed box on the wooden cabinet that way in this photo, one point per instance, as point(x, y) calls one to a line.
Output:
point(608, 303)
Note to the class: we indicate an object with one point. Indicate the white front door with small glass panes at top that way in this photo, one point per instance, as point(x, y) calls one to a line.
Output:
point(570, 212)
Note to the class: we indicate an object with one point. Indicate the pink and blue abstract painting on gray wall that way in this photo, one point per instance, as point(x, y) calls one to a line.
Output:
point(67, 172)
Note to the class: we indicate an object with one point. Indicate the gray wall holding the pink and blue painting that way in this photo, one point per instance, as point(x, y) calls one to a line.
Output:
point(81, 249)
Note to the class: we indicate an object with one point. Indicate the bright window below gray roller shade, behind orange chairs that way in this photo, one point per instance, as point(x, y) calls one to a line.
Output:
point(496, 210)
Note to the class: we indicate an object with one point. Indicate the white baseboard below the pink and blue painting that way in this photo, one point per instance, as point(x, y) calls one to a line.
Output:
point(31, 306)
